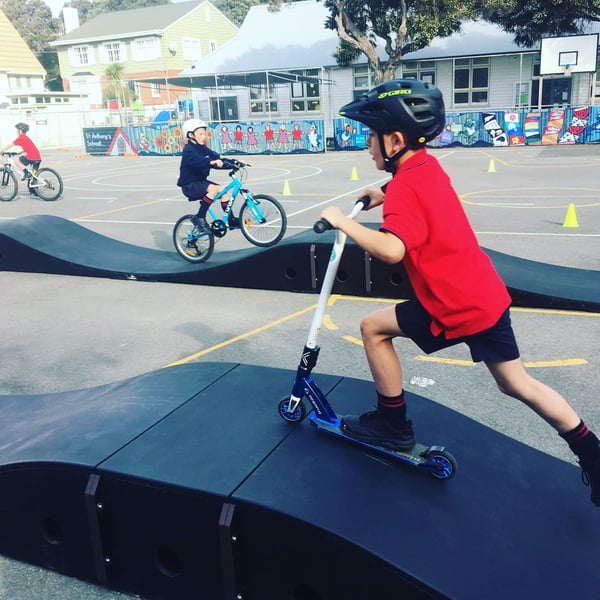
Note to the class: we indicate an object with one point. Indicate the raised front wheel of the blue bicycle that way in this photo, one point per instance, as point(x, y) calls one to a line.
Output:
point(263, 220)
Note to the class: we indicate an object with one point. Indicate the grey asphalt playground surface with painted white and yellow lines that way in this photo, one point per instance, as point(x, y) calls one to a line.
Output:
point(62, 333)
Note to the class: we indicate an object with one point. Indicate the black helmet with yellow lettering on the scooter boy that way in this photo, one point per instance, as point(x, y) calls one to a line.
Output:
point(414, 107)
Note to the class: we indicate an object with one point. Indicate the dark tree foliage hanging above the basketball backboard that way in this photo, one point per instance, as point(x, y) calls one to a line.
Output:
point(531, 20)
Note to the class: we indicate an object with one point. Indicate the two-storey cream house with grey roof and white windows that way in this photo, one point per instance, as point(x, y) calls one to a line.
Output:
point(156, 43)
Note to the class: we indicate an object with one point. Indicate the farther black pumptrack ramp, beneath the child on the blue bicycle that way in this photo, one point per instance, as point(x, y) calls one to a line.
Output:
point(48, 244)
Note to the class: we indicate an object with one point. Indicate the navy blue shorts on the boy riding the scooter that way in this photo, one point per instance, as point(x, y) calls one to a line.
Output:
point(496, 344)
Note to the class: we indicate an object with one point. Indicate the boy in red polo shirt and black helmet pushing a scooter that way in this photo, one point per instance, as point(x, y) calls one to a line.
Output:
point(459, 295)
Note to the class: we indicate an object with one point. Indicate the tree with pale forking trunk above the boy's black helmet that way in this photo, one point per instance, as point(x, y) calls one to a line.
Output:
point(400, 26)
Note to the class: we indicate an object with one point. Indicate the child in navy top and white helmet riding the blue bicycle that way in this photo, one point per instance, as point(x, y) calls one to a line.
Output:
point(197, 160)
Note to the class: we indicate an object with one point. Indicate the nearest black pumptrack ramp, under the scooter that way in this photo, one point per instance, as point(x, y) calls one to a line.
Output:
point(186, 483)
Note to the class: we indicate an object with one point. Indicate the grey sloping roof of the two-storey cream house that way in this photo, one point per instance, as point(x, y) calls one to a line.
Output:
point(129, 23)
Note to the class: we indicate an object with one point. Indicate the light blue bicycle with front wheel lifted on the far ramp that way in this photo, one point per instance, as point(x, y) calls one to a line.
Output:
point(261, 219)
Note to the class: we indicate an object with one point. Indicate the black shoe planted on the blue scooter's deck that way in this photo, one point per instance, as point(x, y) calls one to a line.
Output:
point(374, 429)
